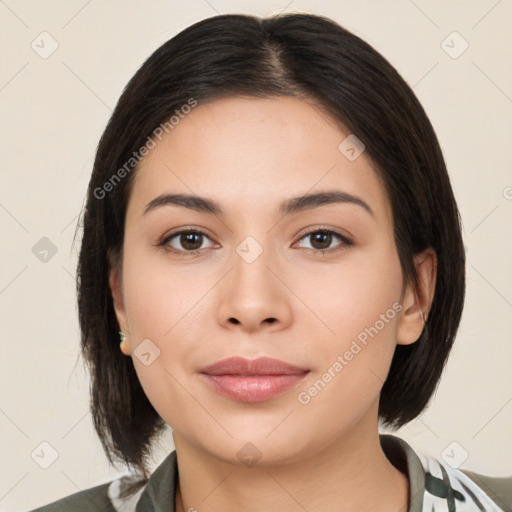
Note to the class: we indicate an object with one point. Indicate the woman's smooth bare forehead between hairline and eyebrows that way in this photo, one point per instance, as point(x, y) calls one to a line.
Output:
point(253, 152)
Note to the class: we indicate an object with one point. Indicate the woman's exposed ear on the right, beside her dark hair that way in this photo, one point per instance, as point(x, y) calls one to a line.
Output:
point(416, 303)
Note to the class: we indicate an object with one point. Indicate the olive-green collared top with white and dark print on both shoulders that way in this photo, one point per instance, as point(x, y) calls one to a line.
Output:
point(434, 486)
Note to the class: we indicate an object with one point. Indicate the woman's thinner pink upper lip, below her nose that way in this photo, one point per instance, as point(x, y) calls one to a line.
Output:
point(260, 366)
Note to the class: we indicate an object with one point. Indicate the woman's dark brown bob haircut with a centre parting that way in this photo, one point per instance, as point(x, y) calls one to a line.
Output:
point(296, 55)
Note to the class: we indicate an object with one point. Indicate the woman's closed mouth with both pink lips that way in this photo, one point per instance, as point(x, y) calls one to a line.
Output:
point(252, 381)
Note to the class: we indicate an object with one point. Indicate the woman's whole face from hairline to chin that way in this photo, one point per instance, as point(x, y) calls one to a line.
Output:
point(315, 284)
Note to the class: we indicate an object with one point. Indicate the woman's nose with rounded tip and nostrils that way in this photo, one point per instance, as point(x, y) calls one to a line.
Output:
point(253, 295)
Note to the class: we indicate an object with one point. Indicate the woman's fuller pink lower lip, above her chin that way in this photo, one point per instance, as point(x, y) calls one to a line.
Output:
point(257, 388)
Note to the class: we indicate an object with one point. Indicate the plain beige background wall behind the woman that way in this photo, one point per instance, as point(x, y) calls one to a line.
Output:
point(53, 111)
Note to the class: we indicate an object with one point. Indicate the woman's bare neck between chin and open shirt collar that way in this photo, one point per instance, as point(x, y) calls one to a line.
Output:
point(351, 475)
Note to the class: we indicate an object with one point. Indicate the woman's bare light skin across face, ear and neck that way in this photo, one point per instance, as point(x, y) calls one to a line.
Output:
point(249, 155)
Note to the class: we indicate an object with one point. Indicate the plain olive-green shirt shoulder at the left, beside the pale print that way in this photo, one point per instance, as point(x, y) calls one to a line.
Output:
point(94, 499)
